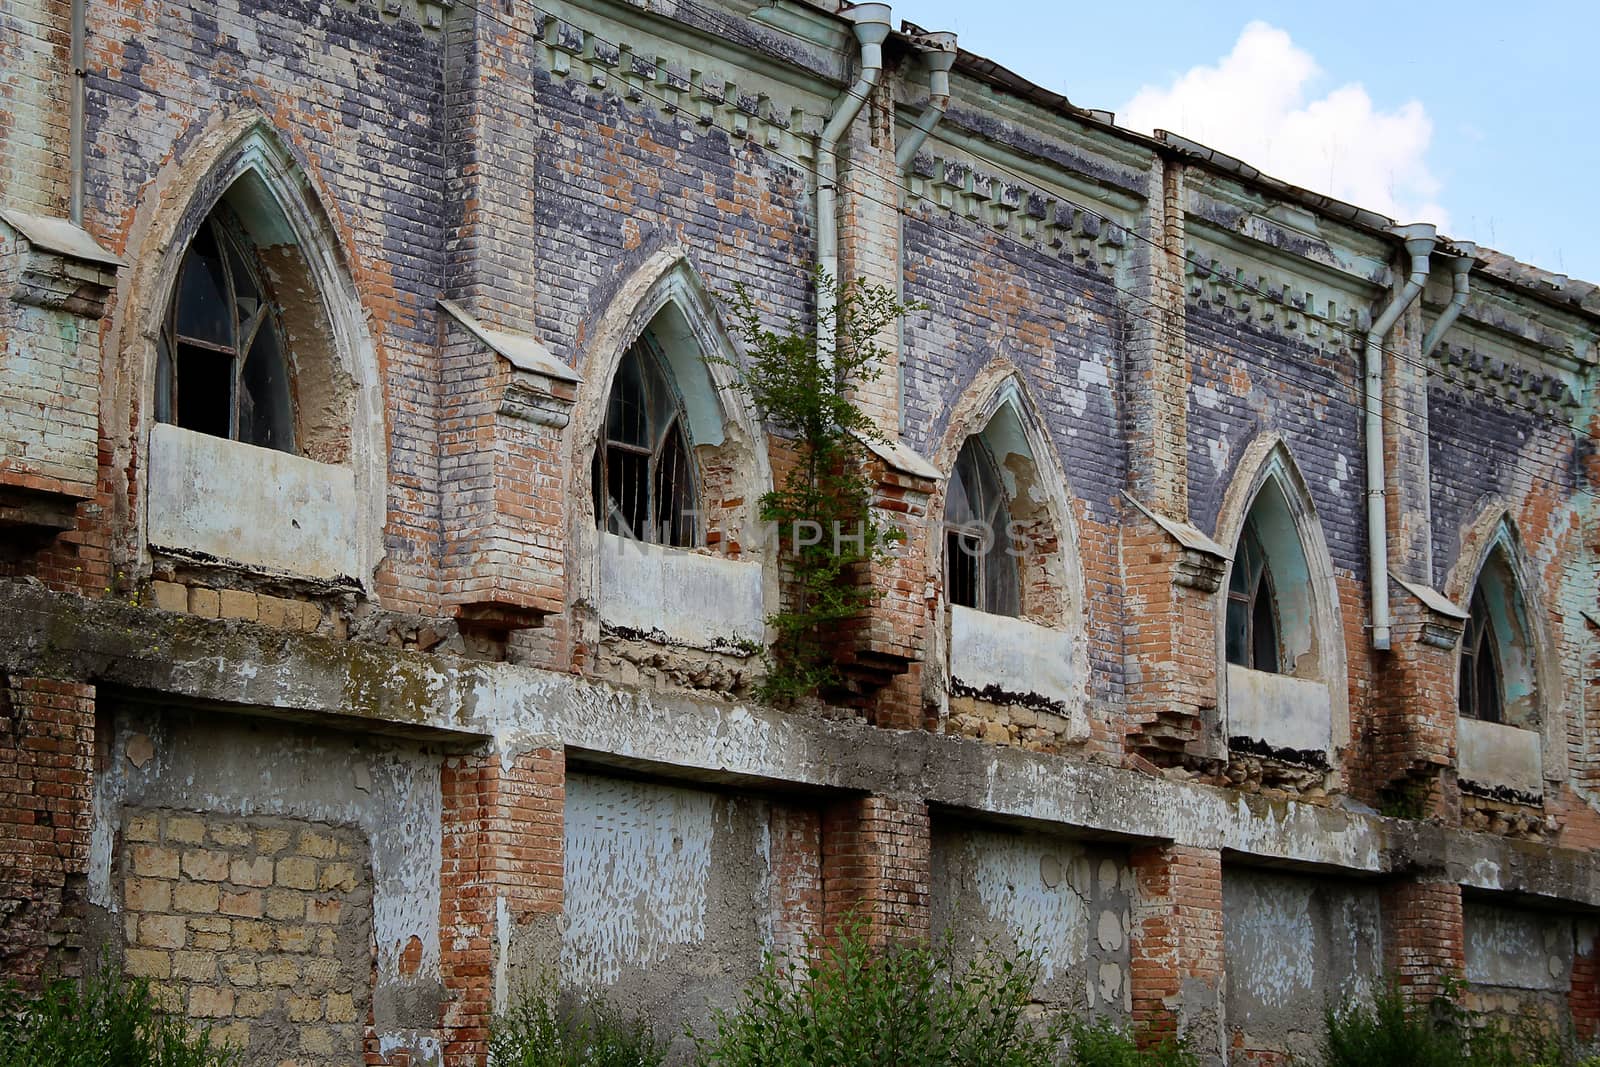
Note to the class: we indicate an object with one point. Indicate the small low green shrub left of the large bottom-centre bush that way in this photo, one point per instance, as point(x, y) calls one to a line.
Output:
point(538, 1033)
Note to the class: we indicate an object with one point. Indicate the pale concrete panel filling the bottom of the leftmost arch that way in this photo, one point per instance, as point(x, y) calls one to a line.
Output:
point(255, 506)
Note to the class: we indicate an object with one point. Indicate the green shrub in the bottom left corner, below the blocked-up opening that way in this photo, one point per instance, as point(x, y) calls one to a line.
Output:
point(103, 1021)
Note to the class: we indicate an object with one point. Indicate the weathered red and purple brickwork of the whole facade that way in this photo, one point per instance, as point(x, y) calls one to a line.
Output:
point(529, 169)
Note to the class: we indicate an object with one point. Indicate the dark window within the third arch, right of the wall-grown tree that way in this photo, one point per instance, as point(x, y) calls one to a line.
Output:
point(980, 567)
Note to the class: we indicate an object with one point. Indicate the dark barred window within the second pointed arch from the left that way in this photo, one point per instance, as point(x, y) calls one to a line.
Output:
point(644, 474)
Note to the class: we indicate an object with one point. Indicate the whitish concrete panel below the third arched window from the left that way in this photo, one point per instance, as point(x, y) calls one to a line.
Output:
point(1010, 661)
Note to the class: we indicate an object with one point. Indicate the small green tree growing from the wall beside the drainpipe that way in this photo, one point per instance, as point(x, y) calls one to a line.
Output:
point(822, 508)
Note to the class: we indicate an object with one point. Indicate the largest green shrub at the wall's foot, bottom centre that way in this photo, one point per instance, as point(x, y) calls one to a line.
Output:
point(852, 1005)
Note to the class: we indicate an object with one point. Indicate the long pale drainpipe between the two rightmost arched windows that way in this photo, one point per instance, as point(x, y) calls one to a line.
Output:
point(1420, 241)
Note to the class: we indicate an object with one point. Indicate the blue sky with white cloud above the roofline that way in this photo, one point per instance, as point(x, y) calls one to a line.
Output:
point(1481, 119)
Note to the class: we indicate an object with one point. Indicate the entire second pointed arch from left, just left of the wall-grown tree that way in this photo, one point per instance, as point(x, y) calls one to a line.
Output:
point(665, 537)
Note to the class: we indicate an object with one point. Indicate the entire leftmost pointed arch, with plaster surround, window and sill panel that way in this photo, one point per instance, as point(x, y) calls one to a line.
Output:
point(255, 370)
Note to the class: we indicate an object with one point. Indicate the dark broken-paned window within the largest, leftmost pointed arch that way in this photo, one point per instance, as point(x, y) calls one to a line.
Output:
point(222, 364)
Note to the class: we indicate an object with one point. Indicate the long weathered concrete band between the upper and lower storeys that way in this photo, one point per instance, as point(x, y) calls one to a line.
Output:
point(468, 705)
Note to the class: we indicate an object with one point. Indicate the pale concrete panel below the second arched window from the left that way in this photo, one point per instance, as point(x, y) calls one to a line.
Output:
point(678, 596)
